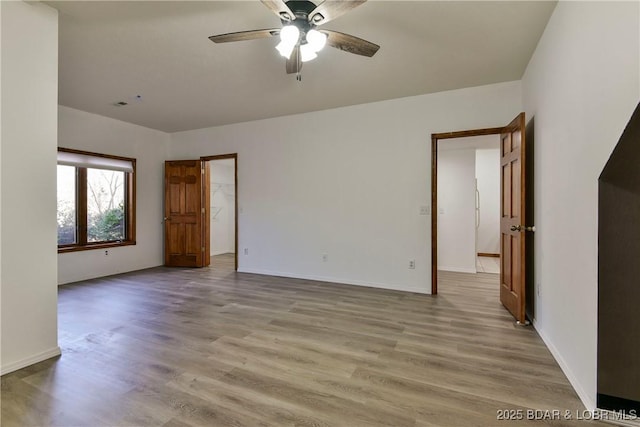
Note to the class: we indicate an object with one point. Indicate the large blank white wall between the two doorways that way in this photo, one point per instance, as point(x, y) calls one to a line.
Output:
point(346, 182)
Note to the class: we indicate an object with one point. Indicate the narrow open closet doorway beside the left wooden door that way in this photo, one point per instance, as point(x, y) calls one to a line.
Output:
point(223, 211)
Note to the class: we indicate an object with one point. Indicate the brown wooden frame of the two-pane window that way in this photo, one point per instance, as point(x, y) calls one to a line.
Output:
point(81, 207)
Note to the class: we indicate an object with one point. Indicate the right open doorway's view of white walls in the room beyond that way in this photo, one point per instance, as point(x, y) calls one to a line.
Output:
point(469, 205)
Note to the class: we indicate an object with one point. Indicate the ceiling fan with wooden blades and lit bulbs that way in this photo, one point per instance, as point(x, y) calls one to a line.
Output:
point(300, 41)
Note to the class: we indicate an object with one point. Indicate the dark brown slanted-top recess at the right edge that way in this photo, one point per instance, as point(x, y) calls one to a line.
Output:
point(618, 273)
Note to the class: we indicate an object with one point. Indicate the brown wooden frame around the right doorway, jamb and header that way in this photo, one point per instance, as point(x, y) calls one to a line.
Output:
point(435, 137)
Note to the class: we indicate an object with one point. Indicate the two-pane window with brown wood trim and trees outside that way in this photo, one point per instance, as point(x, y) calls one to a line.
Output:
point(96, 200)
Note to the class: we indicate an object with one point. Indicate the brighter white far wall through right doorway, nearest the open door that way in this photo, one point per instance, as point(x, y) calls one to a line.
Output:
point(488, 176)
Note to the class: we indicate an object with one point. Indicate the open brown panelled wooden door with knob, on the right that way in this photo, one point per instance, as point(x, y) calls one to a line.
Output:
point(513, 218)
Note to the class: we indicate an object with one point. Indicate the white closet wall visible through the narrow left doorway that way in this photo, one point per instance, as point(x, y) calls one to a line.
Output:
point(222, 206)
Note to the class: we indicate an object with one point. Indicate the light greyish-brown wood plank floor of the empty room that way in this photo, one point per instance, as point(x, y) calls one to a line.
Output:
point(212, 347)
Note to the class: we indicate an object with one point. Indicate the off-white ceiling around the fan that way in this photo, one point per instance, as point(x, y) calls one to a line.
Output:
point(116, 50)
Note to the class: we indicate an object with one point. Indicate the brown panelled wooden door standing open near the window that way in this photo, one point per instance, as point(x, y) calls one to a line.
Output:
point(186, 214)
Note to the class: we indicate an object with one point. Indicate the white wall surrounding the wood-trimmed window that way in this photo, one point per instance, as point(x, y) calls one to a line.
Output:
point(91, 132)
